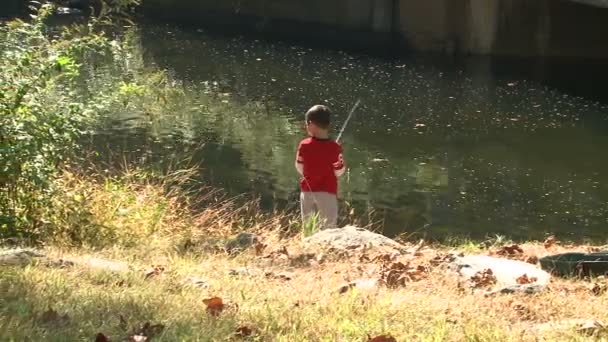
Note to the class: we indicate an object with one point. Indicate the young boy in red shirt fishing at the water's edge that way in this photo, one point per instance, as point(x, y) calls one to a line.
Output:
point(319, 161)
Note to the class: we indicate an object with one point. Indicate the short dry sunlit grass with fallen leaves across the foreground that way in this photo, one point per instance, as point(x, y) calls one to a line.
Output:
point(291, 298)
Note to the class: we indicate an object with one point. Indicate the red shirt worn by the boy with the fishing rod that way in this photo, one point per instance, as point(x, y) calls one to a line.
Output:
point(320, 162)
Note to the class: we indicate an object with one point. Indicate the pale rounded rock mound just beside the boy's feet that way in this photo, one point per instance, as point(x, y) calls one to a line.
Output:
point(351, 237)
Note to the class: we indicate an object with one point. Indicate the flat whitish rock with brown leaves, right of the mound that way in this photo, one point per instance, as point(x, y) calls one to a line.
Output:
point(506, 271)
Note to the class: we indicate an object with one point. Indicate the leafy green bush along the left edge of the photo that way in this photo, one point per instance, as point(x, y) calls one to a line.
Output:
point(43, 109)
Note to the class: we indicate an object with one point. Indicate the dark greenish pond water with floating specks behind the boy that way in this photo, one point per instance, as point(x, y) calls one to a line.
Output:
point(472, 147)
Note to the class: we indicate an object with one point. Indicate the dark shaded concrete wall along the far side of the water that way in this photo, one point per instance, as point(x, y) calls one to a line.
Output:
point(562, 28)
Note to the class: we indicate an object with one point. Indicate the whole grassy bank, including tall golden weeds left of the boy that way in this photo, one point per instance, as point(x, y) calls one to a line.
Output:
point(144, 254)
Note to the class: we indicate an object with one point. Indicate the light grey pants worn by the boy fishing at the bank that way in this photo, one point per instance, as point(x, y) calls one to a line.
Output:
point(323, 203)
